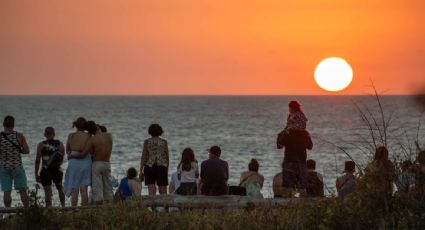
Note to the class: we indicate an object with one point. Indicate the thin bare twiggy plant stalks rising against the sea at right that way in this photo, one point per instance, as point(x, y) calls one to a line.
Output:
point(378, 124)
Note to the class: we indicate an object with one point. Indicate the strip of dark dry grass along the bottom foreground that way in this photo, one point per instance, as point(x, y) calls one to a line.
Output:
point(362, 210)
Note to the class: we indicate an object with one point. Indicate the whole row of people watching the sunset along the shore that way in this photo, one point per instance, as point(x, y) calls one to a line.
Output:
point(89, 149)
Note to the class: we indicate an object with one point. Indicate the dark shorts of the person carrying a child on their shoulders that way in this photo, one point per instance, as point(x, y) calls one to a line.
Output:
point(294, 175)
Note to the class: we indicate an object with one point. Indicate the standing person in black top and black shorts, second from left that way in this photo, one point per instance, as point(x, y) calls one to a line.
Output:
point(51, 153)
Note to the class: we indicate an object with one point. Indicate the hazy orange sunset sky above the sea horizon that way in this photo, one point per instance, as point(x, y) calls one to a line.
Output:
point(207, 47)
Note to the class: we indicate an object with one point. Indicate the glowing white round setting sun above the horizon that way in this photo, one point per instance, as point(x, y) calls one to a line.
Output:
point(333, 74)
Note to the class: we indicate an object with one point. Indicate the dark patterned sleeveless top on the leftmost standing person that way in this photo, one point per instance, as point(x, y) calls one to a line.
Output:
point(10, 156)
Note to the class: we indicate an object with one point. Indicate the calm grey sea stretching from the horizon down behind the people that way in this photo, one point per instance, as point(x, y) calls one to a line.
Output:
point(244, 126)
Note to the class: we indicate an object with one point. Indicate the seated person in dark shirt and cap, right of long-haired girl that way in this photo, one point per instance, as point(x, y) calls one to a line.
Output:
point(214, 174)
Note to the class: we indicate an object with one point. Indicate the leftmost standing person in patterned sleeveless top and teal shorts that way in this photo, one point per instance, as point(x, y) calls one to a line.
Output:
point(12, 145)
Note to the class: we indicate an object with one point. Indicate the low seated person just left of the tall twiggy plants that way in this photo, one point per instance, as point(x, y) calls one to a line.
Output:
point(346, 183)
